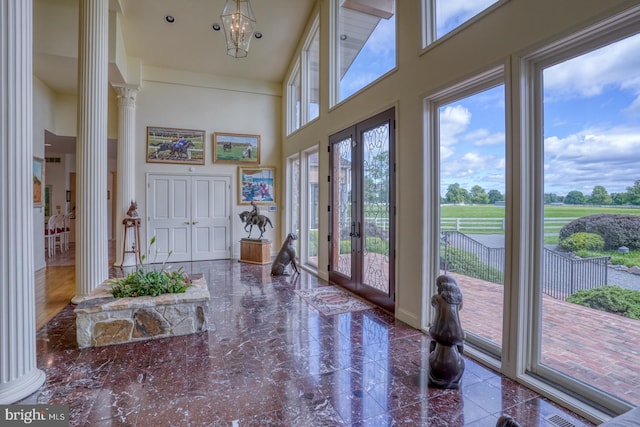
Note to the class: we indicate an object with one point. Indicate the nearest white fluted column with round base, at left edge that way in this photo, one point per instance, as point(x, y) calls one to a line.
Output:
point(19, 376)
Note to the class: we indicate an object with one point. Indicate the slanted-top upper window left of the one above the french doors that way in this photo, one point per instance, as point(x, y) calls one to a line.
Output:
point(303, 86)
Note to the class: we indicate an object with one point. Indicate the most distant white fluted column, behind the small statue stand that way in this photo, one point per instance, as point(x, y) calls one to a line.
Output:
point(126, 189)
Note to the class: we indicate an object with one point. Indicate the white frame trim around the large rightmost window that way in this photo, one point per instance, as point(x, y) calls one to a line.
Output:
point(528, 105)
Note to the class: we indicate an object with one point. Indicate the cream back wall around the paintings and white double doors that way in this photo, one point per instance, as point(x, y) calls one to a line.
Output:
point(170, 98)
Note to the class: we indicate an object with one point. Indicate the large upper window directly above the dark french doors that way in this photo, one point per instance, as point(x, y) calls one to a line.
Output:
point(364, 44)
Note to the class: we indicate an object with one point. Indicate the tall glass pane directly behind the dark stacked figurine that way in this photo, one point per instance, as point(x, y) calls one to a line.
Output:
point(472, 179)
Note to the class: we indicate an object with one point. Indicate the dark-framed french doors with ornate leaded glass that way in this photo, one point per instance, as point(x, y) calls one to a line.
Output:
point(362, 209)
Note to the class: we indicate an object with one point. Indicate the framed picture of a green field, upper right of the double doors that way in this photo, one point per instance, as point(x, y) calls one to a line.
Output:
point(236, 148)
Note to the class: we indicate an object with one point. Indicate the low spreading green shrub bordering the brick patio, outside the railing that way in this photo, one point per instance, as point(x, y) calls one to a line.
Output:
point(612, 299)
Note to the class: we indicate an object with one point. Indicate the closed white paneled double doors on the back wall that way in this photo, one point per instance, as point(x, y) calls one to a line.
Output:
point(190, 217)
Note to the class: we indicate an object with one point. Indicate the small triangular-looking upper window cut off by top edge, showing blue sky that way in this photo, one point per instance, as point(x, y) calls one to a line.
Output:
point(443, 16)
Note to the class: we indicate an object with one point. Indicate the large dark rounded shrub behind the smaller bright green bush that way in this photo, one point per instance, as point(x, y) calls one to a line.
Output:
point(616, 229)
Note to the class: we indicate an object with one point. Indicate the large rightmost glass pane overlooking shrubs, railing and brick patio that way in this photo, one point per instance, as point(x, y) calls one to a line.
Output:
point(590, 300)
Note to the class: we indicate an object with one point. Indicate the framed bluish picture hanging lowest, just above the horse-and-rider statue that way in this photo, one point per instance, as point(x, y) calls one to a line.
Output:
point(256, 185)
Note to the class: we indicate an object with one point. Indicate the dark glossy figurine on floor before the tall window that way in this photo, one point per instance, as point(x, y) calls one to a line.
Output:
point(446, 364)
